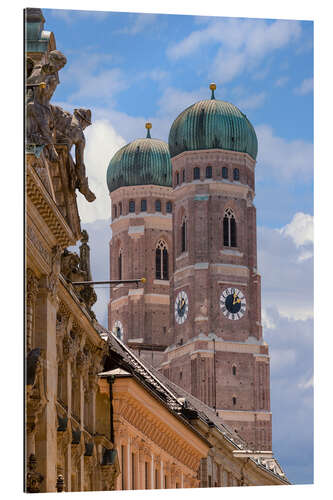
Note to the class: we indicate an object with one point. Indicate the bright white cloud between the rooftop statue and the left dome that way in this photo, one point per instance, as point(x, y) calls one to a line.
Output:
point(102, 142)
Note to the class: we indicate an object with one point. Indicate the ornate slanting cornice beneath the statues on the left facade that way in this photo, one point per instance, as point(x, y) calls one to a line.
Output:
point(48, 209)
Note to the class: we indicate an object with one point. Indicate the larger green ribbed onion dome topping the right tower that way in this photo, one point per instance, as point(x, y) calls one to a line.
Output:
point(212, 124)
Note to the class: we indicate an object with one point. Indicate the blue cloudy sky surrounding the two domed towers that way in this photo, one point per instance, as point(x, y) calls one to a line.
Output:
point(130, 68)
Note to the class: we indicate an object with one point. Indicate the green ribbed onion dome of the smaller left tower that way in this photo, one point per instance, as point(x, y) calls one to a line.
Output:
point(141, 162)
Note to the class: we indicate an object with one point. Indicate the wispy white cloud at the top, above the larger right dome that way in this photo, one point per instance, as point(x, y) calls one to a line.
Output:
point(242, 44)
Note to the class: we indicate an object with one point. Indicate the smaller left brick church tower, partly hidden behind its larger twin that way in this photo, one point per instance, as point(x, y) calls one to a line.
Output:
point(139, 182)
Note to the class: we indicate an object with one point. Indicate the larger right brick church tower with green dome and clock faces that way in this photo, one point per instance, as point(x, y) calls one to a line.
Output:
point(217, 352)
